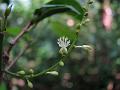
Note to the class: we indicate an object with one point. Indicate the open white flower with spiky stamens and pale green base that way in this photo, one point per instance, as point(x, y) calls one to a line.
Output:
point(63, 42)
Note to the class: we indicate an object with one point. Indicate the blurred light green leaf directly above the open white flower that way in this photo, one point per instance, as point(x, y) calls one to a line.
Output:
point(62, 30)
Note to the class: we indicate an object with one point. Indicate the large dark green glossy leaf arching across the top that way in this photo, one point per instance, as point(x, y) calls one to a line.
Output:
point(59, 6)
